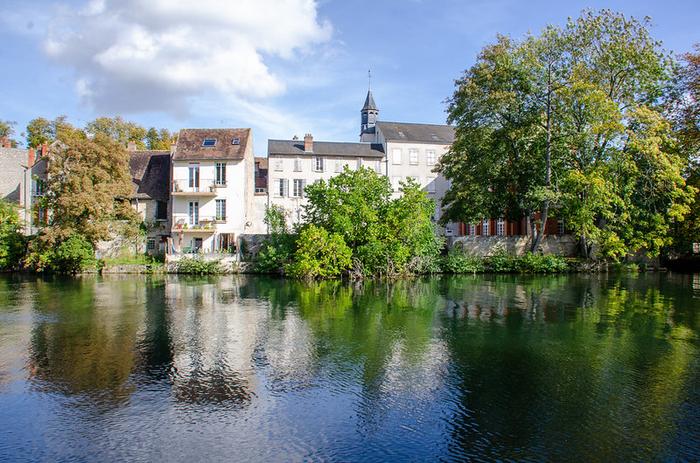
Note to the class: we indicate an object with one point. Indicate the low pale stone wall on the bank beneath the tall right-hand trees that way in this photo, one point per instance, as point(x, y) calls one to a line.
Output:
point(565, 245)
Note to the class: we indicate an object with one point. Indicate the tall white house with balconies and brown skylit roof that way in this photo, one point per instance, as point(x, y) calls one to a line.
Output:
point(212, 189)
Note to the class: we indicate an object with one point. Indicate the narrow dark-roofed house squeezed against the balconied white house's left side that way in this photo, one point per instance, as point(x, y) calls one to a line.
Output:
point(150, 174)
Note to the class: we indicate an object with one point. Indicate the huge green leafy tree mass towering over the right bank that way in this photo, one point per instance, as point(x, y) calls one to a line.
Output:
point(570, 119)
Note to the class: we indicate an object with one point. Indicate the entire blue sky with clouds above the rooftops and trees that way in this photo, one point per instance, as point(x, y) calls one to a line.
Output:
point(283, 67)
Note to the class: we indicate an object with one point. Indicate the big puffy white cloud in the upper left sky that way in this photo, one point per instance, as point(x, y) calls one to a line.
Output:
point(155, 55)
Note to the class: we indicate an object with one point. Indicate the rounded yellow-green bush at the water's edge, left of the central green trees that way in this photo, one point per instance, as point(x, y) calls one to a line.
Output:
point(319, 254)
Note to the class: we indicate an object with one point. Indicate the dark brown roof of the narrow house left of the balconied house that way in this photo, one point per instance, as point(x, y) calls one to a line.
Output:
point(150, 174)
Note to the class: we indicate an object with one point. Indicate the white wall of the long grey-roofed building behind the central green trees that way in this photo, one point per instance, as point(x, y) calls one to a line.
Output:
point(283, 167)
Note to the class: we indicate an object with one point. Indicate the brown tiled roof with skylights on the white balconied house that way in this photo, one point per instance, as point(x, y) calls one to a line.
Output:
point(189, 144)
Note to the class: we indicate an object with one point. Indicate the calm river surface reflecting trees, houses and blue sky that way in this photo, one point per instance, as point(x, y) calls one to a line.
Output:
point(591, 368)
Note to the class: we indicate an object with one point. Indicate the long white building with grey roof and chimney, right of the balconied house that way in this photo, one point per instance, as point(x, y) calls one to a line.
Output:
point(293, 164)
